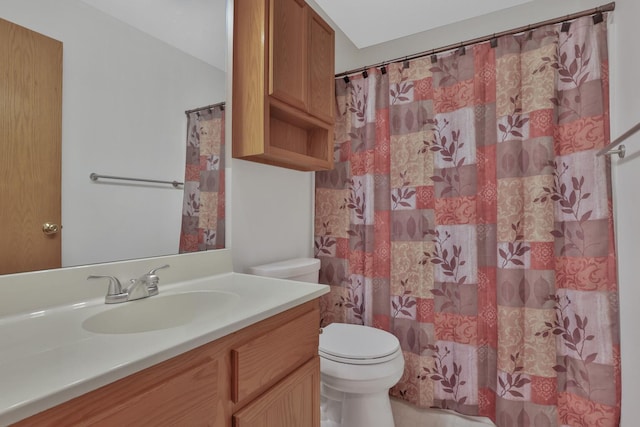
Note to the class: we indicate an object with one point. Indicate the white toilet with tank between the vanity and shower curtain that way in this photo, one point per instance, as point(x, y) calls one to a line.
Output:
point(358, 364)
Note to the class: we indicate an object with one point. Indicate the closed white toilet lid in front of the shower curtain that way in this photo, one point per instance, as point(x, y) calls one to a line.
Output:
point(357, 344)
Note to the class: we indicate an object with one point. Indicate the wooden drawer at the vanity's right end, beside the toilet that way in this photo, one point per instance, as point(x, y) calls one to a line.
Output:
point(261, 362)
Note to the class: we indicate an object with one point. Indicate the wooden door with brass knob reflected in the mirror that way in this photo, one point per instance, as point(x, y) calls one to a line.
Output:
point(30, 148)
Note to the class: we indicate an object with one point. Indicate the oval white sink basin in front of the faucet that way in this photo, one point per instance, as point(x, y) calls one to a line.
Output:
point(161, 312)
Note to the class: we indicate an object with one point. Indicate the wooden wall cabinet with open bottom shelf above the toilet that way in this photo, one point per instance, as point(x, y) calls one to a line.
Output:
point(283, 85)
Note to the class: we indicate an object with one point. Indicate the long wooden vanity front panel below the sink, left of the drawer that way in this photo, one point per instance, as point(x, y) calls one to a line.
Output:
point(187, 390)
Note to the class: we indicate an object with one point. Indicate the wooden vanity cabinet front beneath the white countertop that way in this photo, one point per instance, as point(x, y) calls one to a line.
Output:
point(267, 374)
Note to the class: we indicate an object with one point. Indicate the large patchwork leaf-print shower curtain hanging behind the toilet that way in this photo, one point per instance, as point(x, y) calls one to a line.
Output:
point(469, 215)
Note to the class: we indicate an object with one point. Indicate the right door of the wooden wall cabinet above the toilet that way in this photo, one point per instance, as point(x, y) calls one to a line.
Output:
point(321, 53)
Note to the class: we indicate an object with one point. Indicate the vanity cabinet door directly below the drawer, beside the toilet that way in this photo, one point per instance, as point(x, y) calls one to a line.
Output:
point(293, 402)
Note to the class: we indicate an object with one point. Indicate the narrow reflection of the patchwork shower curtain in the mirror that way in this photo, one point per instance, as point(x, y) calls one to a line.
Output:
point(203, 208)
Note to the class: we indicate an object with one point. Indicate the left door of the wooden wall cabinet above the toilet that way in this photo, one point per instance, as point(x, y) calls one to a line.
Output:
point(288, 52)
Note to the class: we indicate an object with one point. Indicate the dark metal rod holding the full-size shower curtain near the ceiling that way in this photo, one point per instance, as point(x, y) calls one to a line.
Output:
point(594, 11)
